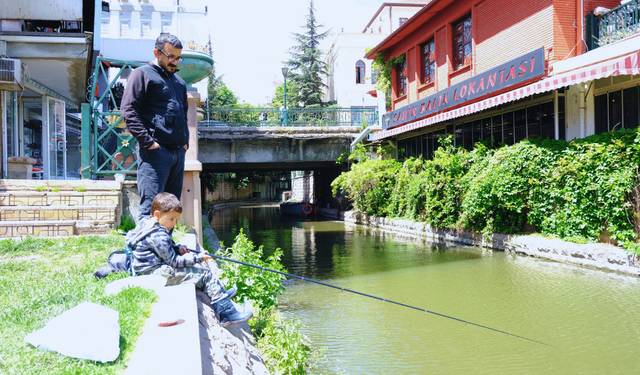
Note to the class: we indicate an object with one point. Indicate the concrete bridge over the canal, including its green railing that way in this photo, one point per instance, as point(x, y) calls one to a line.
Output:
point(250, 139)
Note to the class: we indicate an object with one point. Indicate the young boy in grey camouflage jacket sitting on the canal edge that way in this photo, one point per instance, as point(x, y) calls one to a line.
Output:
point(154, 252)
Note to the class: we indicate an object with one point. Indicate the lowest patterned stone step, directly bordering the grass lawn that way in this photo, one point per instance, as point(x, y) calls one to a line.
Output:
point(53, 228)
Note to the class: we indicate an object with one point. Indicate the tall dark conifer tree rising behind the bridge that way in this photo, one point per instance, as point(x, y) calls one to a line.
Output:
point(307, 67)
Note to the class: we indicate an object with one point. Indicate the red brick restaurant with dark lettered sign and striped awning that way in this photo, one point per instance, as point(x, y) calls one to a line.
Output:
point(489, 69)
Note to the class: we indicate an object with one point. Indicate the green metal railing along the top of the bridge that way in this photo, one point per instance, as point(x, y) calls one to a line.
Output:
point(331, 116)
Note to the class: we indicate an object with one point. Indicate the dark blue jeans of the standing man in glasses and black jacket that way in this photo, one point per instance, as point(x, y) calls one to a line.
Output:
point(159, 170)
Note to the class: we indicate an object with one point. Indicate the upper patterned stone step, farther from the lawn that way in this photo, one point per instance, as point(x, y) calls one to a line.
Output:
point(61, 198)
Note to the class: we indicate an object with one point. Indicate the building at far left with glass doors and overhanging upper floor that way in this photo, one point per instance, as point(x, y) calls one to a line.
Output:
point(46, 49)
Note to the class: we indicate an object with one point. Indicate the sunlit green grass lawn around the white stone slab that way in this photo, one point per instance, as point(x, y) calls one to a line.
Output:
point(40, 278)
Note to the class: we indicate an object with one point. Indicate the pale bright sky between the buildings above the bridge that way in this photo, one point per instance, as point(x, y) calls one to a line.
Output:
point(252, 38)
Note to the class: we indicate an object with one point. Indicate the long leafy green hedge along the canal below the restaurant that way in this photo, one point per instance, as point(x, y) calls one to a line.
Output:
point(581, 190)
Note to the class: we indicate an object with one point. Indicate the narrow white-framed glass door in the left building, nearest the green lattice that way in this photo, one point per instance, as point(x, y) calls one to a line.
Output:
point(56, 139)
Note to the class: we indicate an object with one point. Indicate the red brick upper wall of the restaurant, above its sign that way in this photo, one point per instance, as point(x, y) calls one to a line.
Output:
point(502, 31)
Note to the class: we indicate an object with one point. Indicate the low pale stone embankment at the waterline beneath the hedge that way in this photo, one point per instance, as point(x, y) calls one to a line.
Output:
point(593, 255)
